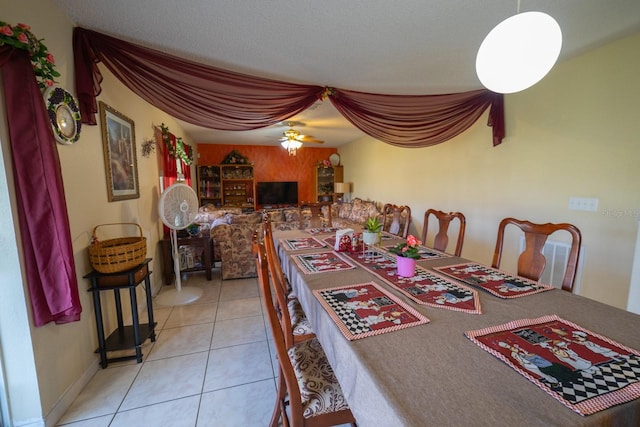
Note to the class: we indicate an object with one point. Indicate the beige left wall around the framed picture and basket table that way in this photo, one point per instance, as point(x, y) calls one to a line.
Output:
point(64, 354)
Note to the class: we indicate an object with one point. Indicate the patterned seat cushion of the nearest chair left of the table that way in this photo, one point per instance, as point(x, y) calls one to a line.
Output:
point(319, 387)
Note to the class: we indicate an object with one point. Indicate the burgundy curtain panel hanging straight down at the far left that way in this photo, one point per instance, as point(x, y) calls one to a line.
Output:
point(42, 209)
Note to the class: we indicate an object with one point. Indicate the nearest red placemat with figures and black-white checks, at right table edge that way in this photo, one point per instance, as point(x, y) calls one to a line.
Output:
point(585, 371)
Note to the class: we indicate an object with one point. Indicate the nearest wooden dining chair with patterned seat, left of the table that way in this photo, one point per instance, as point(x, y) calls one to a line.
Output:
point(311, 389)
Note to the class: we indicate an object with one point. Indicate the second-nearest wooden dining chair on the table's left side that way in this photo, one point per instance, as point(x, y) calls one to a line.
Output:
point(294, 317)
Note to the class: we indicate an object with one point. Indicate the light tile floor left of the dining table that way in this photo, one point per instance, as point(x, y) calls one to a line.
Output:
point(211, 365)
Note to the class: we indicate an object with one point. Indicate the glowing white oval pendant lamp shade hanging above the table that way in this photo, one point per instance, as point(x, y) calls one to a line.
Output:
point(519, 52)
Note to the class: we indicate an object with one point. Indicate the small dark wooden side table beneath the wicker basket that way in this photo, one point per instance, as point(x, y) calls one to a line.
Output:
point(124, 337)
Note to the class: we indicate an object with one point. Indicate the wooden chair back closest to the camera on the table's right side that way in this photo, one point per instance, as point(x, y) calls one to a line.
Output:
point(531, 261)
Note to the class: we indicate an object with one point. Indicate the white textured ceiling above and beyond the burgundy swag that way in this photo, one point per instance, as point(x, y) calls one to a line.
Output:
point(380, 46)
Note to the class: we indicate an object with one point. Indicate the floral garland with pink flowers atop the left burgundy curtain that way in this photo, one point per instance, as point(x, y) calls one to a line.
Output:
point(21, 37)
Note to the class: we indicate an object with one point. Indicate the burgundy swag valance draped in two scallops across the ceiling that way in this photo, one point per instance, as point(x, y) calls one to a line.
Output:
point(225, 100)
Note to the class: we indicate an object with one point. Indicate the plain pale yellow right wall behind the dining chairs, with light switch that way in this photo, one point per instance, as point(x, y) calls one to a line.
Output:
point(576, 133)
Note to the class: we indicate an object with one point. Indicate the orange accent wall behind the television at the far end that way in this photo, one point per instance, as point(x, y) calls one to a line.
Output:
point(272, 163)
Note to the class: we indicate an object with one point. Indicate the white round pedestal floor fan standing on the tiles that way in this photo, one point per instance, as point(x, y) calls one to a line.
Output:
point(177, 207)
